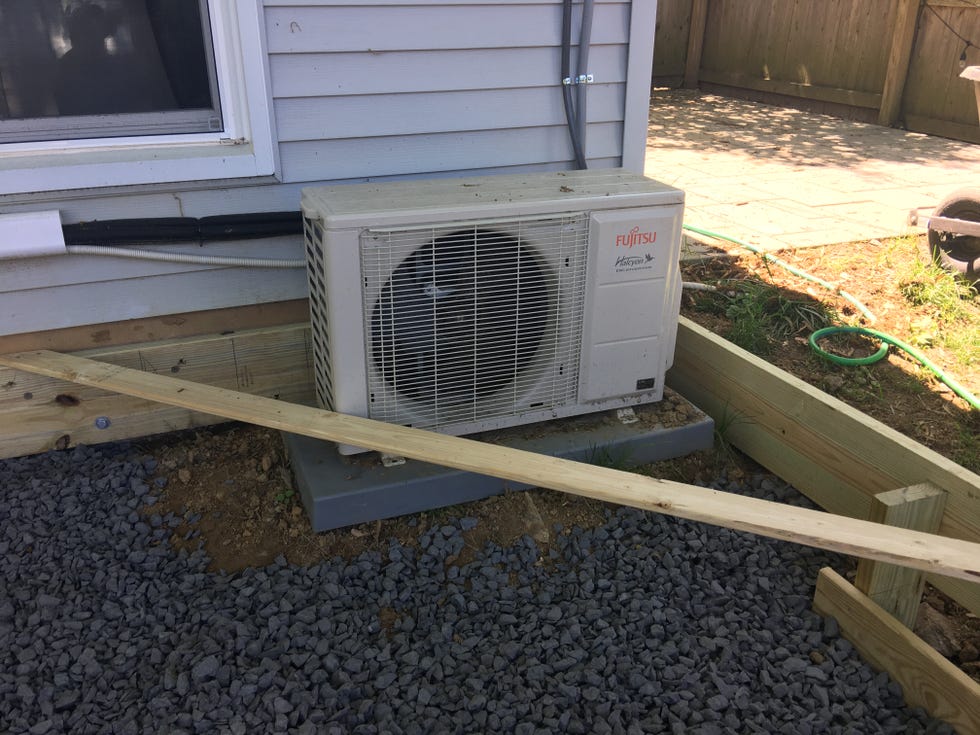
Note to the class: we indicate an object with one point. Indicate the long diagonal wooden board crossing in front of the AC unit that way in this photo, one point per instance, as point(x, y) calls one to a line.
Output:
point(938, 554)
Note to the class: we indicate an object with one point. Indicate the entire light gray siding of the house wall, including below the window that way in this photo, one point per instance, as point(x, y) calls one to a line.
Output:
point(363, 89)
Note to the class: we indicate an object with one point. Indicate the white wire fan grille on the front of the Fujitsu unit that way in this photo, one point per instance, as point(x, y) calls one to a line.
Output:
point(476, 321)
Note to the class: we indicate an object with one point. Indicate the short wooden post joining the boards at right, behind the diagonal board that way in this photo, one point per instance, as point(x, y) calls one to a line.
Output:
point(898, 589)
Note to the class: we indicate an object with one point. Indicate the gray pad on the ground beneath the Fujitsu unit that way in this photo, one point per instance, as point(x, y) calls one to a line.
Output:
point(338, 491)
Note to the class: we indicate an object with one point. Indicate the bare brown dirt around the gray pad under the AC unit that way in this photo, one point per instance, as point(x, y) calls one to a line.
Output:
point(232, 489)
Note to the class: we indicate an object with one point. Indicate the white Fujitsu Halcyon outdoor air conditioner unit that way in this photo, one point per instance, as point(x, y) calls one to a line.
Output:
point(466, 305)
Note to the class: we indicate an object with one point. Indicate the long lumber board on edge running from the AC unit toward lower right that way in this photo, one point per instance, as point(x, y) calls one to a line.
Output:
point(835, 454)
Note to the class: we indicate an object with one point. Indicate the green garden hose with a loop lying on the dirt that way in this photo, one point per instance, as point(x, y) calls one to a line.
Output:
point(885, 339)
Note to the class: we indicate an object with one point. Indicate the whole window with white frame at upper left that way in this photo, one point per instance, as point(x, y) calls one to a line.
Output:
point(110, 92)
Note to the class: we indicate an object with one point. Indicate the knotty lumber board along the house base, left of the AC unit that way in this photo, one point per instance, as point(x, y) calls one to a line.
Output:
point(40, 413)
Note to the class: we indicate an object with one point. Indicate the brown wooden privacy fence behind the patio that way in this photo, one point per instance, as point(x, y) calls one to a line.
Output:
point(885, 61)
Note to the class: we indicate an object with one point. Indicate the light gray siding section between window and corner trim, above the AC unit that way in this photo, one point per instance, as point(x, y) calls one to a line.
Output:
point(390, 90)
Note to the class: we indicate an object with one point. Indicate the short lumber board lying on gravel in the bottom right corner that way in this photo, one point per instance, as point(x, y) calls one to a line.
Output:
point(928, 680)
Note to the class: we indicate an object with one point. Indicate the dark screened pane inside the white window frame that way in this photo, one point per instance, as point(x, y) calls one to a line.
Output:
point(73, 69)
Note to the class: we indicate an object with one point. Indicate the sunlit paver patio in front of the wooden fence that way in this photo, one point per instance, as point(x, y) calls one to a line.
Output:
point(779, 178)
